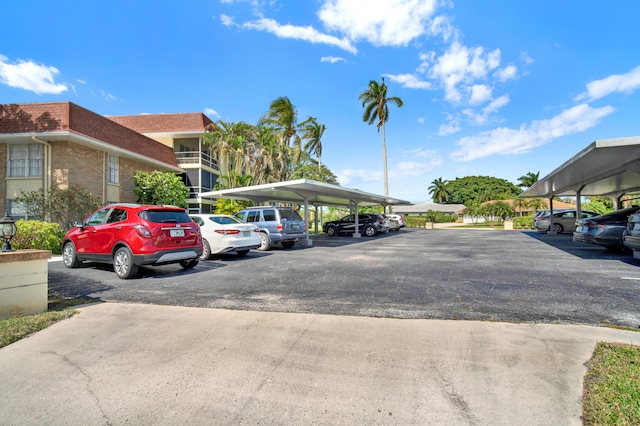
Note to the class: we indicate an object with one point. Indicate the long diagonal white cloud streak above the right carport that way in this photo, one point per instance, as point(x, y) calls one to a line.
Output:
point(505, 141)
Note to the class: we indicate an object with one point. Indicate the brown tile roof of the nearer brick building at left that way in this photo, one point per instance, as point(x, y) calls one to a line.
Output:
point(67, 116)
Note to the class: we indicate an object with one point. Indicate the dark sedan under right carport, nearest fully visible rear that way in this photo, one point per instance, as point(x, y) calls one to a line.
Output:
point(605, 230)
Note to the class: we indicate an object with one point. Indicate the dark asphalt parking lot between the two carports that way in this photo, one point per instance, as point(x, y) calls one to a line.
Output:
point(460, 274)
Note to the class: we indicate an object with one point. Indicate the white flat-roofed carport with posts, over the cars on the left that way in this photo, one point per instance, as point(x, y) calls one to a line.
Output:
point(306, 192)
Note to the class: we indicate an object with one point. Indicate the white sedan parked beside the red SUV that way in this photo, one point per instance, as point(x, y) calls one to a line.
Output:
point(223, 233)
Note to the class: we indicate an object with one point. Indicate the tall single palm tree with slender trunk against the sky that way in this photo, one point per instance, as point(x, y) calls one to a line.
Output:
point(375, 103)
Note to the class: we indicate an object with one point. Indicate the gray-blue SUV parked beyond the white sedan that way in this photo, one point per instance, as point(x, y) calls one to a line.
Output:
point(278, 225)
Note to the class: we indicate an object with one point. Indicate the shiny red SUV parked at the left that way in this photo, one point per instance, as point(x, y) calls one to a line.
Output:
point(131, 235)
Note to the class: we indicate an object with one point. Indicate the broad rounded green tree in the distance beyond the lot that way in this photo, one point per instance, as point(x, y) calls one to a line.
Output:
point(480, 189)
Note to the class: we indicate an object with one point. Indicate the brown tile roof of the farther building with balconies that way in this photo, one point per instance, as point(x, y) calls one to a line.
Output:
point(164, 123)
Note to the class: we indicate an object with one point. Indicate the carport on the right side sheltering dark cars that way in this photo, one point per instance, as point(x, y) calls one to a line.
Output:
point(607, 167)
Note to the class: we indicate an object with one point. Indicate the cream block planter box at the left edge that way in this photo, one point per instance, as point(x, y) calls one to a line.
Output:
point(24, 282)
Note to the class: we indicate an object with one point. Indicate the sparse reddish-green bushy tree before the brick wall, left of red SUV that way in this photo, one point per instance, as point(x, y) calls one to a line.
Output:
point(61, 206)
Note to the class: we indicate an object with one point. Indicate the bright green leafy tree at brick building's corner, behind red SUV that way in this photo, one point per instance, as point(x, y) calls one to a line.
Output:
point(158, 187)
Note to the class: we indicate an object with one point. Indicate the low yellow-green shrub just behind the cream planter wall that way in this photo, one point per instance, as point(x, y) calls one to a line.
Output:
point(36, 234)
